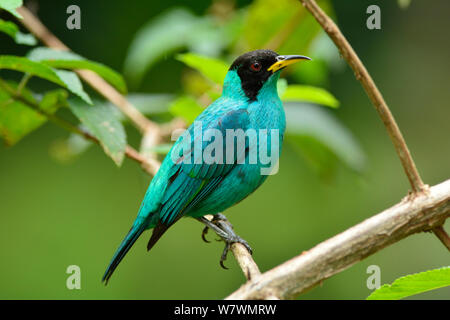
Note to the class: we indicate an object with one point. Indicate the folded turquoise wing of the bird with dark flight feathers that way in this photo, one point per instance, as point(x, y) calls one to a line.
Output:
point(189, 183)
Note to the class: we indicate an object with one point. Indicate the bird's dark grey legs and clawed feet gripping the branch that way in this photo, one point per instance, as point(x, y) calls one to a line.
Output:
point(224, 230)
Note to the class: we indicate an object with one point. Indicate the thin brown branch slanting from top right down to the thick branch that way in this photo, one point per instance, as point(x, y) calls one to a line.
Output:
point(372, 91)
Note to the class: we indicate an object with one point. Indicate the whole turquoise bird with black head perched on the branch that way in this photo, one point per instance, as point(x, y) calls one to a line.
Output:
point(187, 184)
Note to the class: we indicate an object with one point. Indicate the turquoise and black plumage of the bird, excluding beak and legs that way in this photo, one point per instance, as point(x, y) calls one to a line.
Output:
point(191, 189)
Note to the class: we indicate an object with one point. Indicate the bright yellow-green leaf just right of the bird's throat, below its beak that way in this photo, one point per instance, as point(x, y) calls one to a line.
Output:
point(309, 94)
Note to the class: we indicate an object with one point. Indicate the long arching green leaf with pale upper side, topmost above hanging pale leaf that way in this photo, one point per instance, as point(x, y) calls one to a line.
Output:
point(69, 60)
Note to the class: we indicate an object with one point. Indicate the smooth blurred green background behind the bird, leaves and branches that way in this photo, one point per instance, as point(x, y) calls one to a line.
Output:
point(54, 215)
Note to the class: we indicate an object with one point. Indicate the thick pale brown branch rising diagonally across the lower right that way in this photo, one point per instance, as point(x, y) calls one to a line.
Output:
point(412, 215)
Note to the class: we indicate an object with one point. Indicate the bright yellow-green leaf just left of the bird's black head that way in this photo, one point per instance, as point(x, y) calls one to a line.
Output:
point(212, 68)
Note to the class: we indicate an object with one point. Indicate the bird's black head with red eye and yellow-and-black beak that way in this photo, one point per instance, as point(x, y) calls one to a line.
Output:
point(255, 68)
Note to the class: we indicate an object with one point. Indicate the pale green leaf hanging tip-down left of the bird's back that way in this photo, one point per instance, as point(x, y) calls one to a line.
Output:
point(101, 122)
